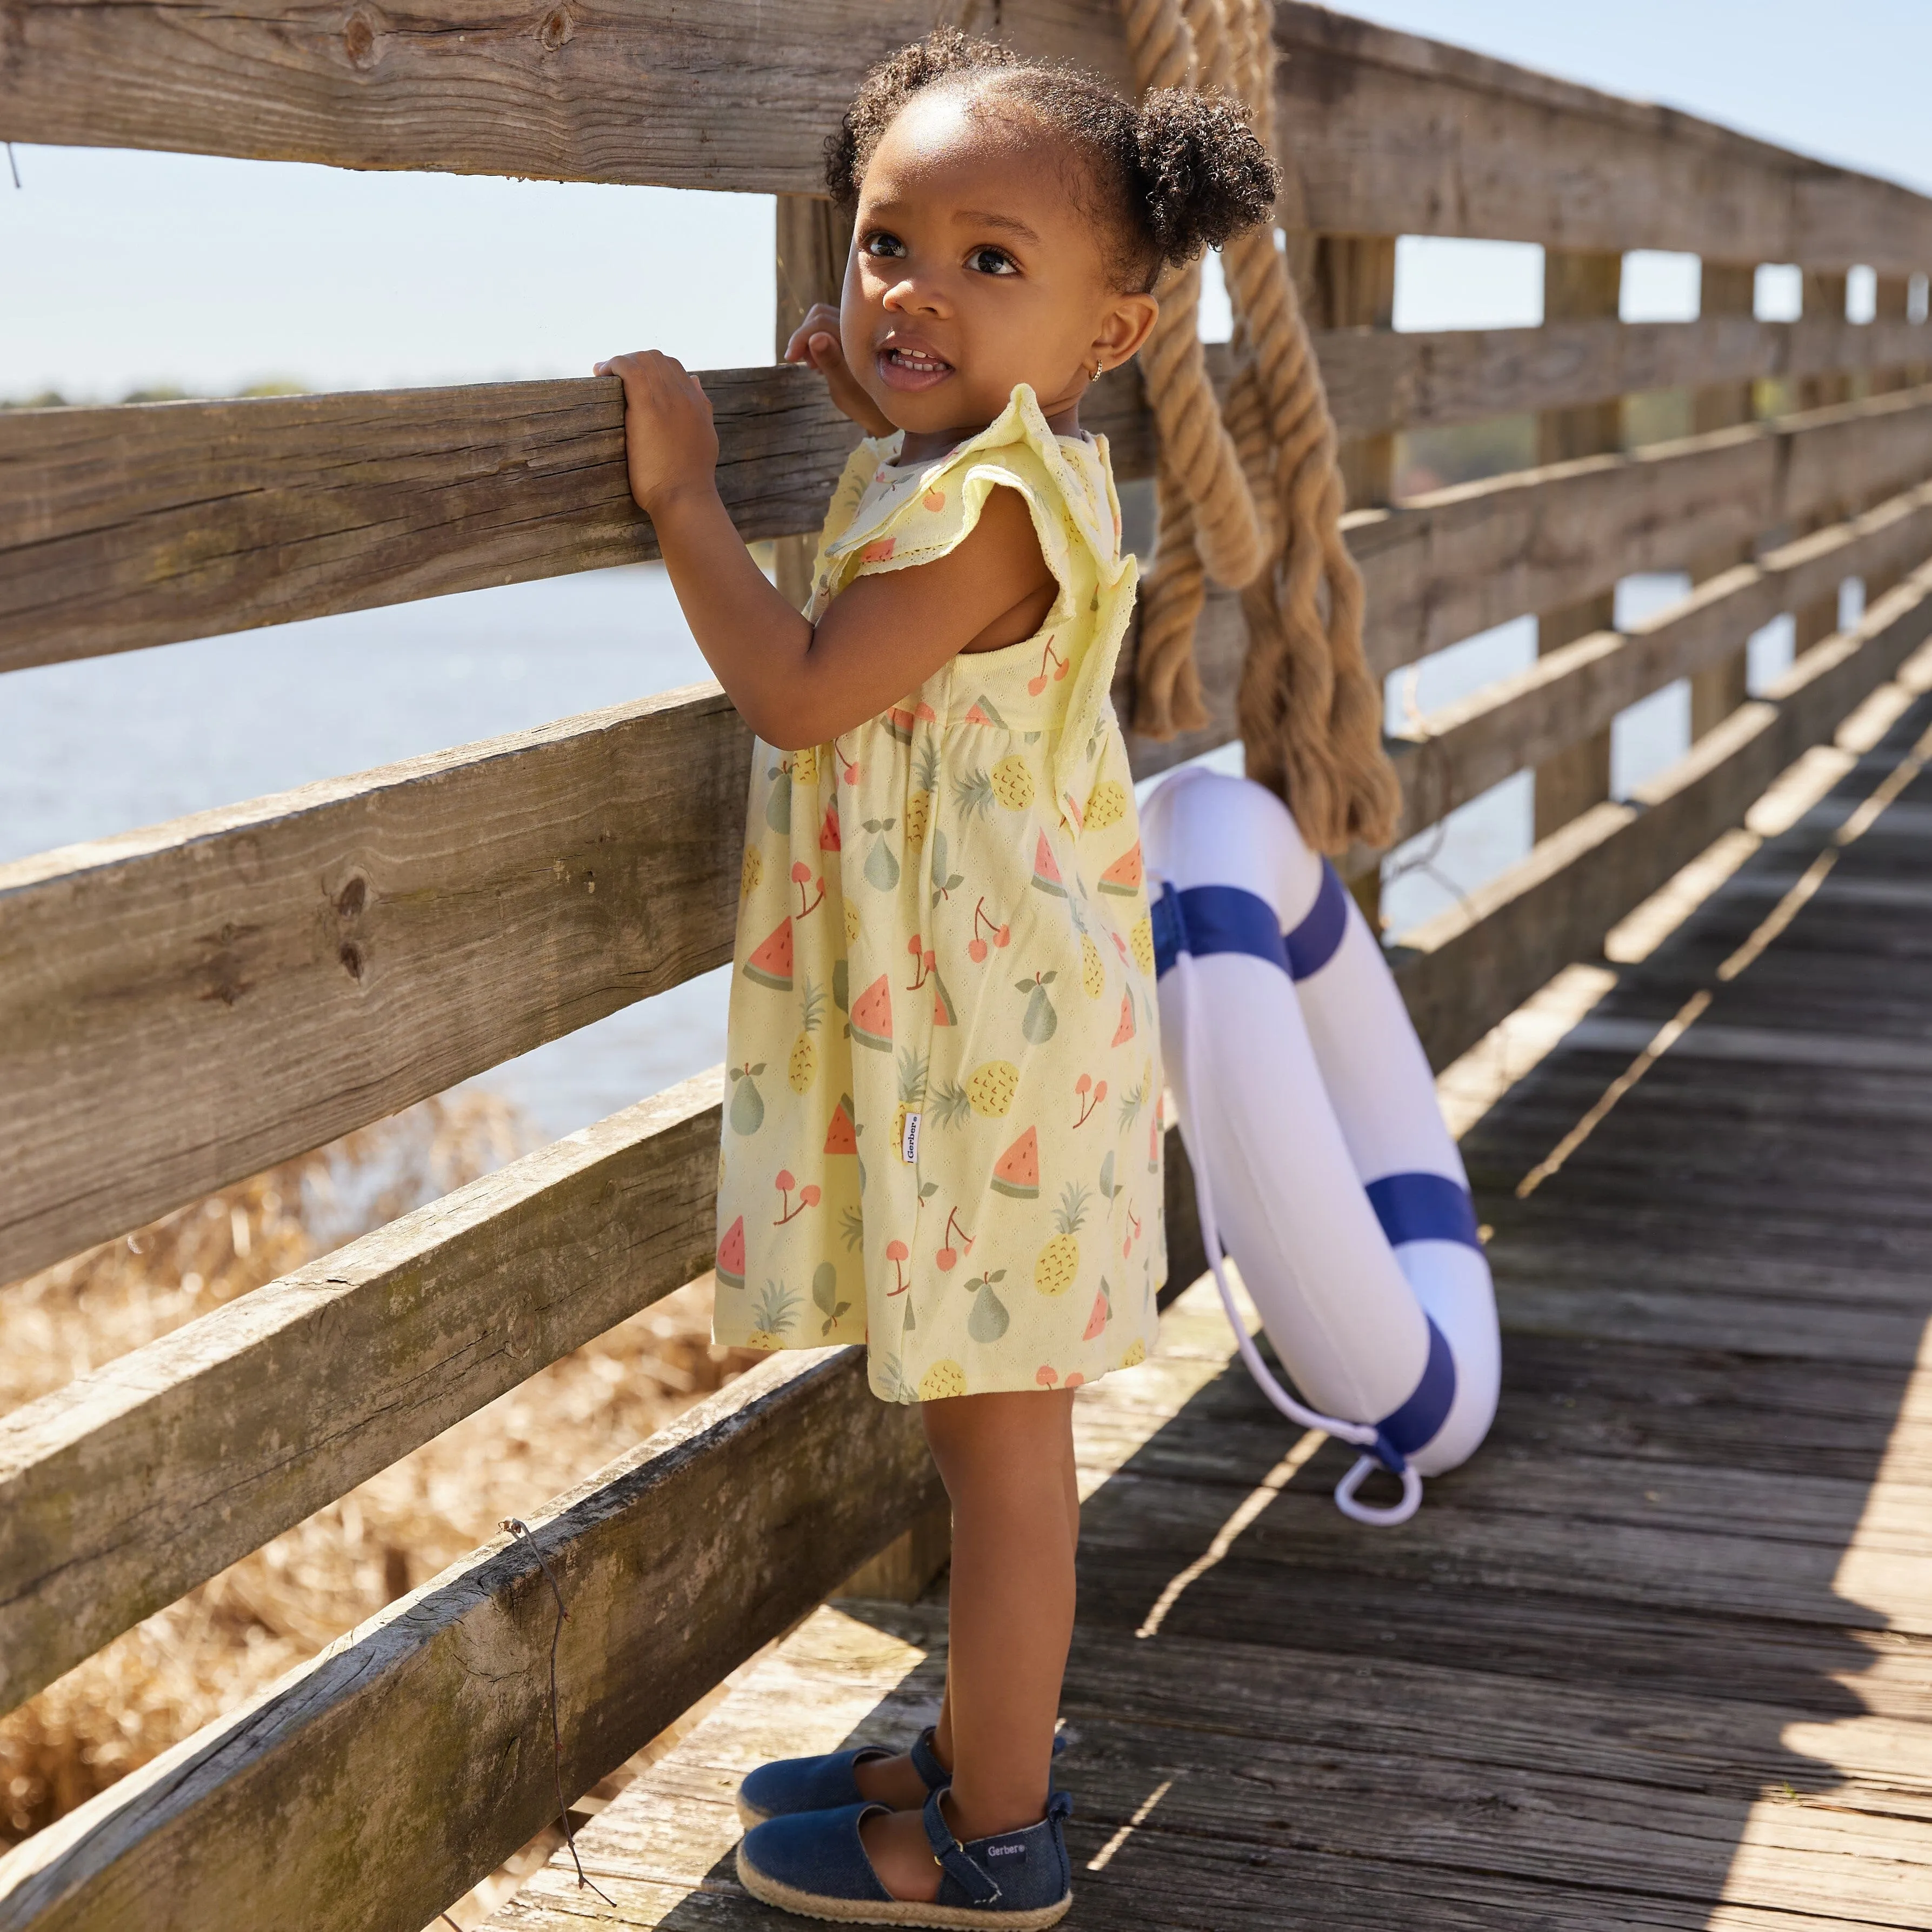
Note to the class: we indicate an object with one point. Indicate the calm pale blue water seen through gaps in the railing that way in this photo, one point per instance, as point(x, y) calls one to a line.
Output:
point(105, 745)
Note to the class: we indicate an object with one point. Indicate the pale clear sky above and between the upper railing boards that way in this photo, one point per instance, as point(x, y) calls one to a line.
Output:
point(130, 271)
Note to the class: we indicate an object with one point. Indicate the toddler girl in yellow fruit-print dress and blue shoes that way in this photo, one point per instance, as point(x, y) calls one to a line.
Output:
point(944, 1118)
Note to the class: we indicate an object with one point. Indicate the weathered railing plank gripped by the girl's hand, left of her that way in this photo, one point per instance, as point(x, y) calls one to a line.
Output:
point(173, 521)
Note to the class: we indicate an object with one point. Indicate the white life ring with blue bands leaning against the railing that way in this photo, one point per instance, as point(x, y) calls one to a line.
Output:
point(1321, 1156)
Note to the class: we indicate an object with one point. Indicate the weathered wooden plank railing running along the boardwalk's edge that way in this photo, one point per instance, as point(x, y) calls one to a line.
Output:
point(188, 1006)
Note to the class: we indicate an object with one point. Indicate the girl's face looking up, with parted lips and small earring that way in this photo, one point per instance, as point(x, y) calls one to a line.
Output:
point(975, 270)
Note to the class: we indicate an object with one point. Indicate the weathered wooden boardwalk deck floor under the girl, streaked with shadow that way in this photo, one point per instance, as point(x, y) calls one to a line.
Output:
point(1662, 1657)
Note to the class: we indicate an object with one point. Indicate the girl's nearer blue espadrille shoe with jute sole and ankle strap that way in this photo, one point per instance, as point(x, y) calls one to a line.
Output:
point(814, 1863)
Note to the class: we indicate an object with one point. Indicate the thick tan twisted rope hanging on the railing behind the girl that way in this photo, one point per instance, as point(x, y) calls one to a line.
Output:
point(1253, 496)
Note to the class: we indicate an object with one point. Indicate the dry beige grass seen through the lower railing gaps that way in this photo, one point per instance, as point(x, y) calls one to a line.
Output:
point(279, 1606)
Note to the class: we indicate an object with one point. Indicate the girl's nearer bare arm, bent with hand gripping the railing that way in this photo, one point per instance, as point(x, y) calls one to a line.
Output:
point(884, 637)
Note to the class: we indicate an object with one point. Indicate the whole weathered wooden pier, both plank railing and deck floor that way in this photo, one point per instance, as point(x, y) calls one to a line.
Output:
point(1659, 1659)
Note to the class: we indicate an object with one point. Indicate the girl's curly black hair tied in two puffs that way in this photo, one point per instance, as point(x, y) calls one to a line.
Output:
point(1170, 177)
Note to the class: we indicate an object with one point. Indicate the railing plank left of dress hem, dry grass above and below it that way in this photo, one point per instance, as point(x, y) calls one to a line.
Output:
point(148, 1477)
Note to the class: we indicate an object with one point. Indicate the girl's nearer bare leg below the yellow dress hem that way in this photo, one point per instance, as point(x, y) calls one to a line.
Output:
point(1008, 1465)
